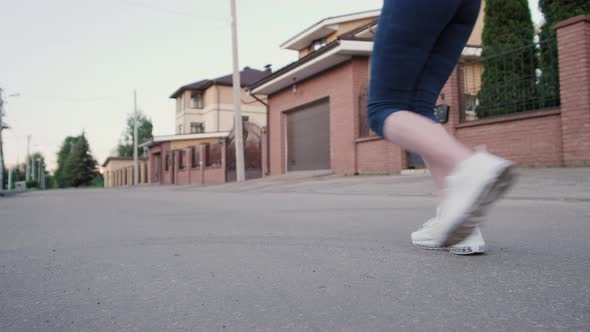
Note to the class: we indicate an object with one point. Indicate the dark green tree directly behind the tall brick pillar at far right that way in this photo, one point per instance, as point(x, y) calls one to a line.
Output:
point(554, 12)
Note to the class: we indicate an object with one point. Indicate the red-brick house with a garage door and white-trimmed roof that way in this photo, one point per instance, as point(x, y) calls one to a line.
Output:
point(317, 104)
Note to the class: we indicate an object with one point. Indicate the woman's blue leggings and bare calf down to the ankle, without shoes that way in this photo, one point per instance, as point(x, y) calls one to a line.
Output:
point(419, 67)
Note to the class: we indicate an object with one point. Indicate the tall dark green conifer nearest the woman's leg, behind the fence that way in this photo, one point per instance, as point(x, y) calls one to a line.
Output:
point(508, 59)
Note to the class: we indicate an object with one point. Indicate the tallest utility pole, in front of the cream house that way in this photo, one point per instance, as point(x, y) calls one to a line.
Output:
point(239, 138)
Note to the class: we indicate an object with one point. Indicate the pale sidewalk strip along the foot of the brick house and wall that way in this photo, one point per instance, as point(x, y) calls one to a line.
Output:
point(534, 184)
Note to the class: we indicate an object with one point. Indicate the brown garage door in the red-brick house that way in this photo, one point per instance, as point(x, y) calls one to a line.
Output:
point(308, 138)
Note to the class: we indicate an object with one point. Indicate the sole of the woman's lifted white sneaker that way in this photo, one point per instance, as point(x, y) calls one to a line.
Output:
point(494, 190)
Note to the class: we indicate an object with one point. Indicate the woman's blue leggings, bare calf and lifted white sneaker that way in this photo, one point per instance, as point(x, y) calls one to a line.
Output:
point(430, 35)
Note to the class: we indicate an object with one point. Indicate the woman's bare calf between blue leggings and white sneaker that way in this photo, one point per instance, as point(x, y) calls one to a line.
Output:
point(420, 135)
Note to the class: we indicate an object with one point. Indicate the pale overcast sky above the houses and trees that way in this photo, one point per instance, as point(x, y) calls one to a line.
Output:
point(75, 63)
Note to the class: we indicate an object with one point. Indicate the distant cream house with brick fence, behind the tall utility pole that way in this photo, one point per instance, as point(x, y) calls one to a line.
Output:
point(202, 150)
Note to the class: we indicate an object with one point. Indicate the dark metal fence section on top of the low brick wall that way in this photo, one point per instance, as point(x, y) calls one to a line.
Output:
point(520, 80)
